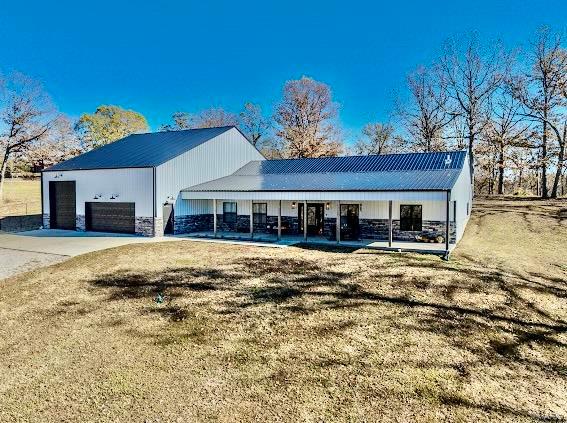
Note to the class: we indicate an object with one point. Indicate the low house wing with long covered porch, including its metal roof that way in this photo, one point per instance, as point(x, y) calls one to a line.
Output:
point(387, 197)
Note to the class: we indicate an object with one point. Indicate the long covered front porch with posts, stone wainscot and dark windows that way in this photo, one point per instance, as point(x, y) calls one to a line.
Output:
point(381, 220)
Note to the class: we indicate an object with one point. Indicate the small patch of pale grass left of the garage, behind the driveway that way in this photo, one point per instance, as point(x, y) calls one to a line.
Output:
point(21, 196)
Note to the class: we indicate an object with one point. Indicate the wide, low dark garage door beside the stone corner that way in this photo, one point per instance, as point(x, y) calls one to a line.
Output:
point(110, 217)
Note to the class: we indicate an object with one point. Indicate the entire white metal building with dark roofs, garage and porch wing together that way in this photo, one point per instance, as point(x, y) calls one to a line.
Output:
point(213, 182)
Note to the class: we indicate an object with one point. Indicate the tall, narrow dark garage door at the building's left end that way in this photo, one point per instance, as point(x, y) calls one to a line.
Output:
point(62, 201)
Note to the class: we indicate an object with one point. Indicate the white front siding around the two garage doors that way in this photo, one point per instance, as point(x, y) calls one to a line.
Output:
point(131, 185)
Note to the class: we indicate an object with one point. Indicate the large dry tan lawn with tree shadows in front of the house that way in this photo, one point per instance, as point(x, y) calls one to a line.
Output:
point(211, 332)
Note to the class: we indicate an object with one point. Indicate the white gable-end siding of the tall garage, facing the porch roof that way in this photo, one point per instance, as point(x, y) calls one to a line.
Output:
point(213, 159)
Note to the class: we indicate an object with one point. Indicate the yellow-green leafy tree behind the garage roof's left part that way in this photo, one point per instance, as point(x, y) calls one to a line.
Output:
point(108, 124)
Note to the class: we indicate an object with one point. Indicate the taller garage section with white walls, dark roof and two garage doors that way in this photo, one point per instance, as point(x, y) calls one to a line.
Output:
point(131, 185)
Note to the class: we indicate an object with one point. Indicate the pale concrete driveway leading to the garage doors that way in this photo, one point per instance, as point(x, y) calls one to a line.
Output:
point(24, 251)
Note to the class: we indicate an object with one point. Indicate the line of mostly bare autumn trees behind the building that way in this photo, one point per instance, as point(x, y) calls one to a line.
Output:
point(510, 115)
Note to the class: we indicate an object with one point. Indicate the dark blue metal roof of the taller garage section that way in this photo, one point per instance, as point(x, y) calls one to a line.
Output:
point(141, 150)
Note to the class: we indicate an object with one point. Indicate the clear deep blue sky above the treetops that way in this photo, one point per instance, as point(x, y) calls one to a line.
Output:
point(162, 56)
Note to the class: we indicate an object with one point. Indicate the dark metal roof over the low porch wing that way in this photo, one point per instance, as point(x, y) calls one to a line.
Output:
point(392, 172)
